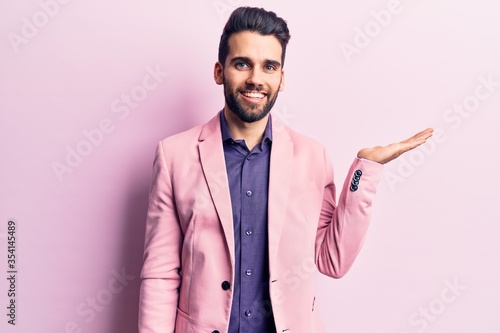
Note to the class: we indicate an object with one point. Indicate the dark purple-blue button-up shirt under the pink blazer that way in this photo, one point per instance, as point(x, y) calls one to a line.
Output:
point(248, 175)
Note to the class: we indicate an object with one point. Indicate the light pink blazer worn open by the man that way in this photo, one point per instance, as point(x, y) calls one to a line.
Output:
point(188, 267)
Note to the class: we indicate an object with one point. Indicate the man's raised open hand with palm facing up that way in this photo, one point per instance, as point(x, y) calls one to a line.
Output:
point(386, 154)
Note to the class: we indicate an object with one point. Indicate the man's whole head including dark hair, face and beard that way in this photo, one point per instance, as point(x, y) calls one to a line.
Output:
point(250, 66)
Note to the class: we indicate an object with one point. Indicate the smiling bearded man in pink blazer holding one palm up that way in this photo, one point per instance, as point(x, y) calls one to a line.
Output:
point(241, 205)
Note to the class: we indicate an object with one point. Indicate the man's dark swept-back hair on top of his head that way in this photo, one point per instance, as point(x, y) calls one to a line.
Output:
point(256, 20)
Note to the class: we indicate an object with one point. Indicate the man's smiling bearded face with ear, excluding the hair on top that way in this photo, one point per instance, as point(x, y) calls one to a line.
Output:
point(252, 75)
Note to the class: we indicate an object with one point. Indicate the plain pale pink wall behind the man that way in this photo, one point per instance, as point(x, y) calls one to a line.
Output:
point(66, 67)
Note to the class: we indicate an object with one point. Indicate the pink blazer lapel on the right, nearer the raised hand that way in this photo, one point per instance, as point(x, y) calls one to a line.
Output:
point(279, 186)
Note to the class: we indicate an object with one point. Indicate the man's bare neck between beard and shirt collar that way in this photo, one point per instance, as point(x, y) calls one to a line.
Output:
point(252, 133)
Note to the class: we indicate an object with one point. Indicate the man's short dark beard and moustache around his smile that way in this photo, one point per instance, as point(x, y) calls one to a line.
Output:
point(250, 113)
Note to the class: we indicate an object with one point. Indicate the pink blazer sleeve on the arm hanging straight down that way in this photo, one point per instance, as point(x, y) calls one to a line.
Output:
point(162, 254)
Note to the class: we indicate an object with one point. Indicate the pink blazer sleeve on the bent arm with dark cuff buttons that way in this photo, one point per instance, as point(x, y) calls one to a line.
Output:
point(342, 228)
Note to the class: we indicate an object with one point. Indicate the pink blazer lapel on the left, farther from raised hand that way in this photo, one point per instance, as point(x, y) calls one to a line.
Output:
point(214, 168)
